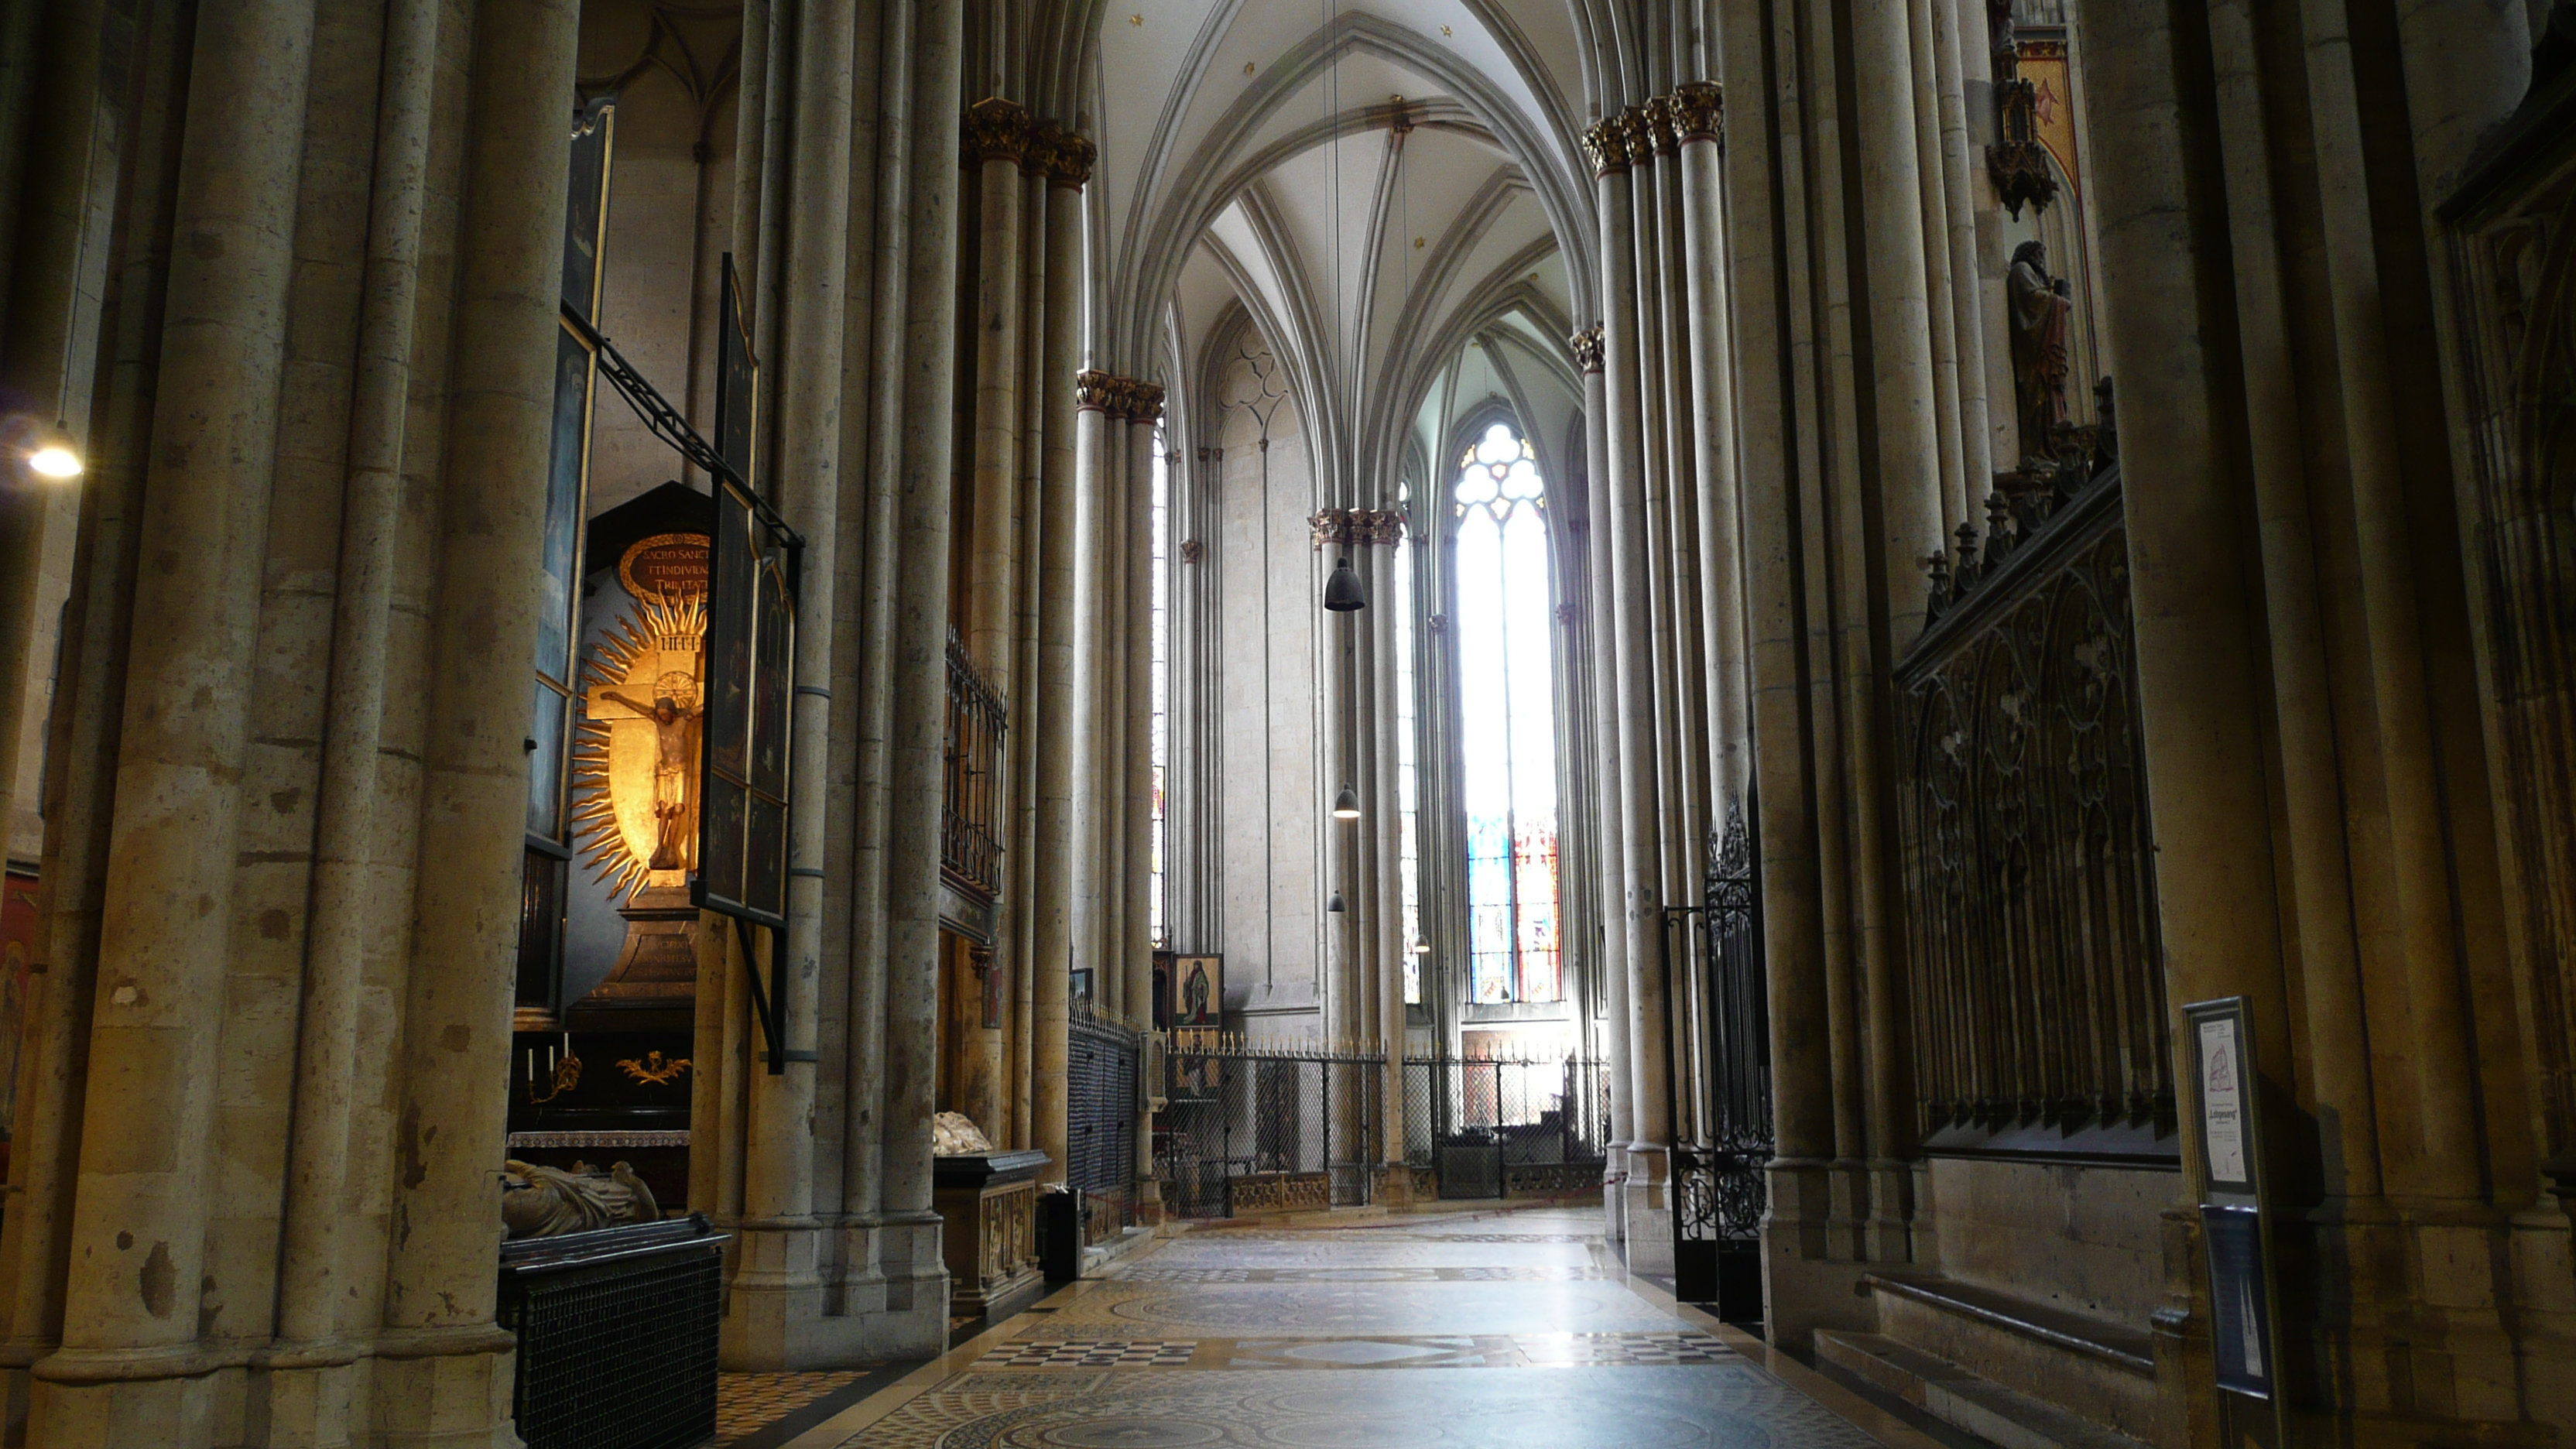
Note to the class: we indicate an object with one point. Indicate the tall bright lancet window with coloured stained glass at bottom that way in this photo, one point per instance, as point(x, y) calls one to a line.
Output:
point(1508, 721)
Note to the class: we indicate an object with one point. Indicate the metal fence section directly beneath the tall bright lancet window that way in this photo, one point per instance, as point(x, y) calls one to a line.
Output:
point(1508, 1125)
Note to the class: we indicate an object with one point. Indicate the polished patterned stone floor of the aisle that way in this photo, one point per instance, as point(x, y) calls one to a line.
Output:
point(1493, 1332)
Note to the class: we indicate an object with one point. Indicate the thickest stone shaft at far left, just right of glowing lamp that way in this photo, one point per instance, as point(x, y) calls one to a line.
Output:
point(151, 1094)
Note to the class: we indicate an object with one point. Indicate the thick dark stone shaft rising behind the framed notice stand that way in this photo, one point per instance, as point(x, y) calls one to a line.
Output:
point(2196, 625)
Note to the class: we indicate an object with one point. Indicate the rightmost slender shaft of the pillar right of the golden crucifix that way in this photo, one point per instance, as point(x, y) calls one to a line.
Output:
point(911, 1249)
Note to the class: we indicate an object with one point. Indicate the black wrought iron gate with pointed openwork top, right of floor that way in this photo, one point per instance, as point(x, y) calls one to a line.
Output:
point(1725, 1113)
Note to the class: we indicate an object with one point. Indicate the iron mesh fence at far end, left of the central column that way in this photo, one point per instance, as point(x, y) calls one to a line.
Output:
point(1266, 1125)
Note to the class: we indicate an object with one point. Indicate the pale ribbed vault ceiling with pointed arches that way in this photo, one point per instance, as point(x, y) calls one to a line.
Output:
point(1392, 192)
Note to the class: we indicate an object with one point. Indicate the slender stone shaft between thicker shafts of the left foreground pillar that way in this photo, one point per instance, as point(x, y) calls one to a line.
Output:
point(346, 911)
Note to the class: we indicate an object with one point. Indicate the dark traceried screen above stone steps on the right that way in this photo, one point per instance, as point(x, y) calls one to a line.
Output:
point(2029, 870)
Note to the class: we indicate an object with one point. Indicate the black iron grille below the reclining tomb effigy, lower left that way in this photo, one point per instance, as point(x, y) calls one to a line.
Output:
point(617, 1337)
